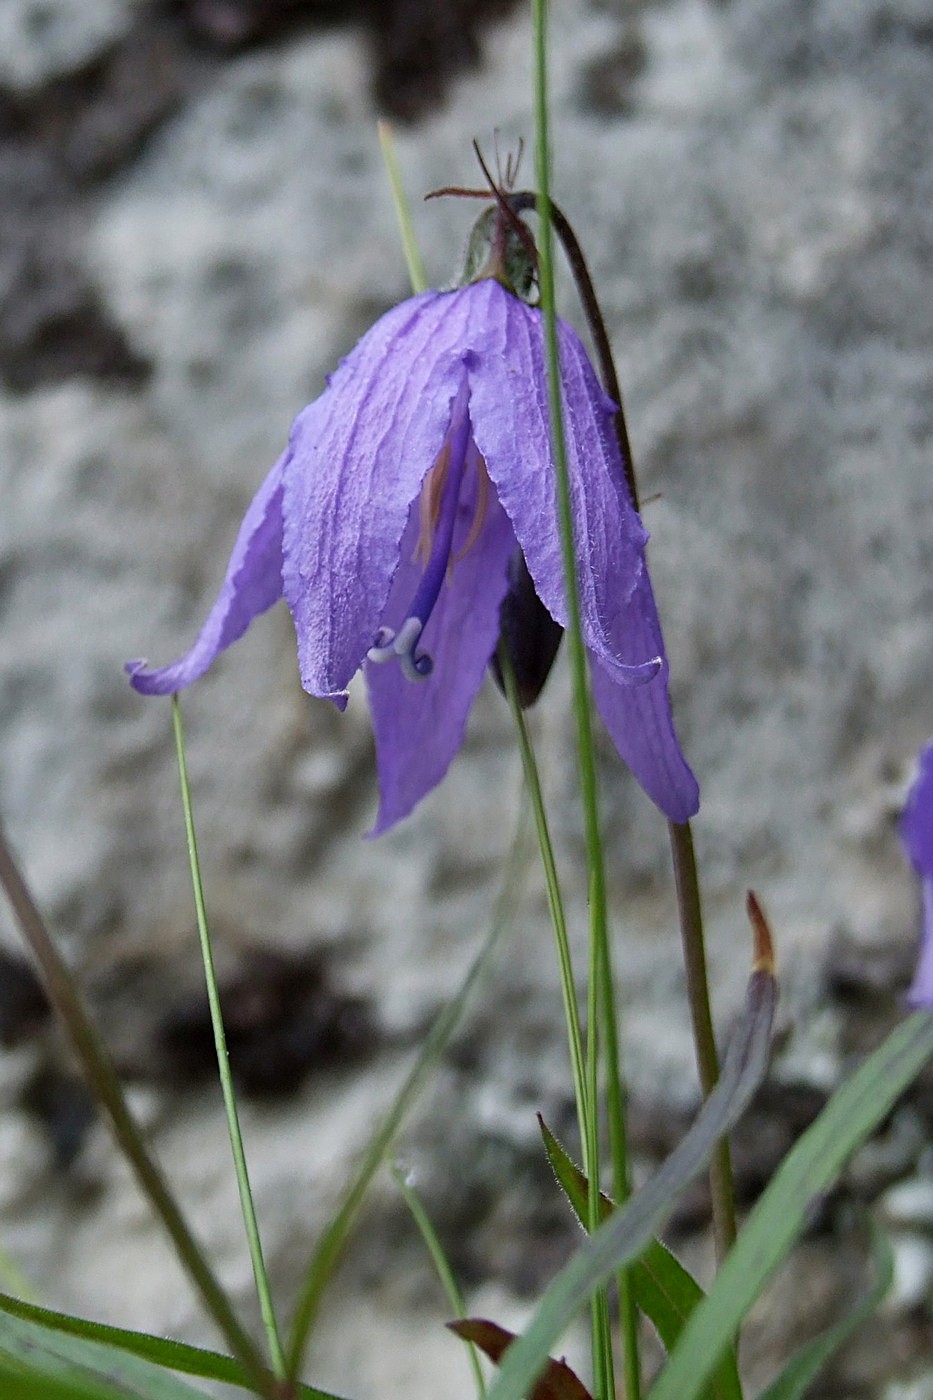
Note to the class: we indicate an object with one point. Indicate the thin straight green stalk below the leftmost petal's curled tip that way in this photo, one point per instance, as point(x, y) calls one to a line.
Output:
point(223, 1063)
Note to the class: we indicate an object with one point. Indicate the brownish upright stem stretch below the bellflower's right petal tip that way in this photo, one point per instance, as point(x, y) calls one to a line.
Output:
point(691, 919)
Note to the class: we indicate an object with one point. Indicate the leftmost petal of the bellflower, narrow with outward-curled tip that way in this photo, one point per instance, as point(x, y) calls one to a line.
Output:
point(253, 584)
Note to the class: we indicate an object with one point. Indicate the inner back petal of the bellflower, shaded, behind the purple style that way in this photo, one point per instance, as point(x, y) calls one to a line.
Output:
point(420, 726)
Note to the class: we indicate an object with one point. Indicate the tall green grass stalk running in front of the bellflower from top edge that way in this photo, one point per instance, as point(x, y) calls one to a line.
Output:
point(603, 1009)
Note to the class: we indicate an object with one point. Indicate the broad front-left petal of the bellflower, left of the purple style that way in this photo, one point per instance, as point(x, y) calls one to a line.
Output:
point(359, 456)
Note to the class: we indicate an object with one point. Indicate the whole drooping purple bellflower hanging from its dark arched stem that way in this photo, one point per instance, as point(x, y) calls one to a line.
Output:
point(411, 498)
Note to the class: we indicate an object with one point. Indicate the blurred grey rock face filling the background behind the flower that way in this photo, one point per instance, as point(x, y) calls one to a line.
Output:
point(194, 226)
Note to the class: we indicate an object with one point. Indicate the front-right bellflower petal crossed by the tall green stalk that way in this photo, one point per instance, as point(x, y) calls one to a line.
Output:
point(512, 426)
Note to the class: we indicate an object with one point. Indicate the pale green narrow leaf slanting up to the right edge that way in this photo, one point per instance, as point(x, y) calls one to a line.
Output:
point(809, 1170)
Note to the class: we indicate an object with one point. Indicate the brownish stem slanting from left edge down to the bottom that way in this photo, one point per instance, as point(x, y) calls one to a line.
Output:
point(102, 1077)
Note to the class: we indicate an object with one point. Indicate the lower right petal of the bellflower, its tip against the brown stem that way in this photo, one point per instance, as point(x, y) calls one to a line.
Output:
point(640, 717)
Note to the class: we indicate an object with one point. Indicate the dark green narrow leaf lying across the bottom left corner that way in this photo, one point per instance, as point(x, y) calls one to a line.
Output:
point(162, 1352)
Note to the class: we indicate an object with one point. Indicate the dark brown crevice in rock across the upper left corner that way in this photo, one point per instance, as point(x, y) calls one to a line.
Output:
point(64, 138)
